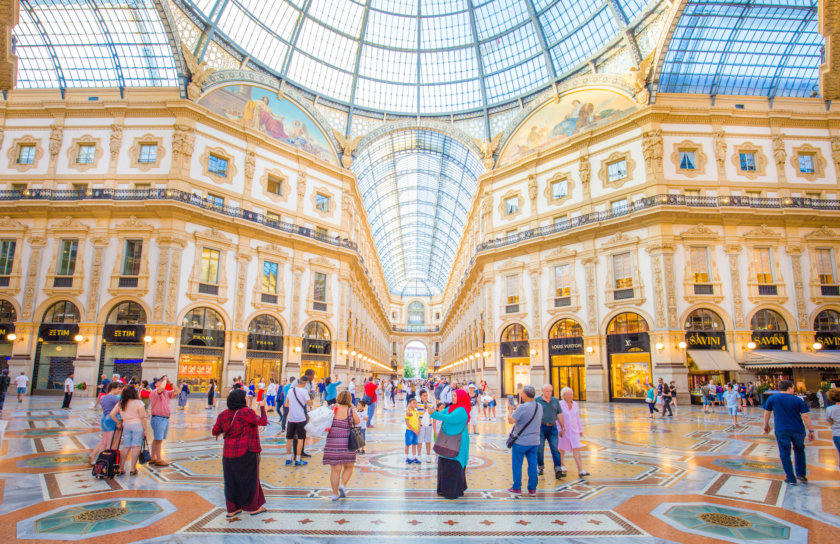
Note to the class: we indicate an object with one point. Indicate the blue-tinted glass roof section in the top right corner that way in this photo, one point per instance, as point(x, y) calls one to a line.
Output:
point(755, 47)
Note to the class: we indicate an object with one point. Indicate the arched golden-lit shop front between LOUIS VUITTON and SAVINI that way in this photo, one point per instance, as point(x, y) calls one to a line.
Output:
point(628, 352)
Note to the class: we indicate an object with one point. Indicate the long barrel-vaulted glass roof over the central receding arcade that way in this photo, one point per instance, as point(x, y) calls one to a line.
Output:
point(417, 187)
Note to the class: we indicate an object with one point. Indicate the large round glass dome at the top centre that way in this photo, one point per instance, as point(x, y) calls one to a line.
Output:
point(420, 56)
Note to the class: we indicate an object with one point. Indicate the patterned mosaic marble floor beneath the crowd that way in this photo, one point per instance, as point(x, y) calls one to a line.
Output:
point(693, 478)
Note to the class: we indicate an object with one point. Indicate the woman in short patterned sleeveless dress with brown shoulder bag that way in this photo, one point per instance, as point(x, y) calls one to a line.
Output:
point(337, 453)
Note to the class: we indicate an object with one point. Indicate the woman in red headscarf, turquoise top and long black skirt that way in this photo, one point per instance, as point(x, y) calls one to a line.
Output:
point(452, 471)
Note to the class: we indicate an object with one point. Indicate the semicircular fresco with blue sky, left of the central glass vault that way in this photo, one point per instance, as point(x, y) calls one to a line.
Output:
point(260, 109)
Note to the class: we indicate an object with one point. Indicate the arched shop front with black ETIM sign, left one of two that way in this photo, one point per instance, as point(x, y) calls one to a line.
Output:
point(55, 354)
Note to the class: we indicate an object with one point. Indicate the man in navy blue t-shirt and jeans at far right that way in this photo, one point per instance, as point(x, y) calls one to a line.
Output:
point(790, 418)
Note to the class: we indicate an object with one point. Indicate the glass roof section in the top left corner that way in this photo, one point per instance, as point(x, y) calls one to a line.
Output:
point(92, 43)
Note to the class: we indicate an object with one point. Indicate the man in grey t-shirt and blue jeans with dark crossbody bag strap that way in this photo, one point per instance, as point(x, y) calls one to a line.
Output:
point(526, 420)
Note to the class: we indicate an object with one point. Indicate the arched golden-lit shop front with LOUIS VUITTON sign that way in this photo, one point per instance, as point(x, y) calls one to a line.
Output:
point(565, 349)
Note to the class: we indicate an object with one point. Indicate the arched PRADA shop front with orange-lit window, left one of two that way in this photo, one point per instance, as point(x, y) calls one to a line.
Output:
point(202, 349)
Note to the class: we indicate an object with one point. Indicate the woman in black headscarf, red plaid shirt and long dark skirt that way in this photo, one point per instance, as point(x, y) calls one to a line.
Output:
point(241, 455)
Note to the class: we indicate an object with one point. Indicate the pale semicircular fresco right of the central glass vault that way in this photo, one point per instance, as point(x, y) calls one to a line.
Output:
point(576, 111)
